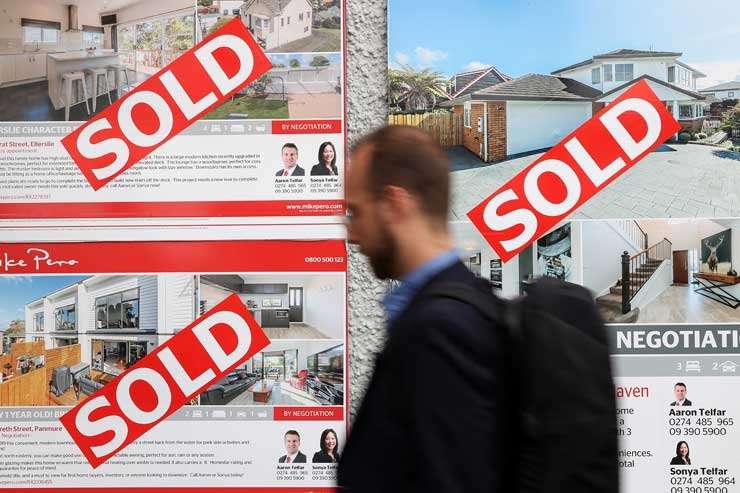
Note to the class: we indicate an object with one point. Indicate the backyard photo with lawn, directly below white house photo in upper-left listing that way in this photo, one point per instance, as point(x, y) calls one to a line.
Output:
point(298, 86)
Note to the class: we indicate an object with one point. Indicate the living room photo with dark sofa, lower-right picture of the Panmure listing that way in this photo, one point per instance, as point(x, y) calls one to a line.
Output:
point(287, 373)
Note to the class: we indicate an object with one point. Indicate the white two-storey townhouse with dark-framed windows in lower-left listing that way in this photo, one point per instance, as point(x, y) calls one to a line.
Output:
point(116, 319)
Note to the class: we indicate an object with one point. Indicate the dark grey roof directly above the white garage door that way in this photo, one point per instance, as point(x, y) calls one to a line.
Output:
point(534, 87)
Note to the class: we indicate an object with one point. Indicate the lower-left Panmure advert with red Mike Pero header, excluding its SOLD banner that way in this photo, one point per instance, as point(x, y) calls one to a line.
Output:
point(79, 314)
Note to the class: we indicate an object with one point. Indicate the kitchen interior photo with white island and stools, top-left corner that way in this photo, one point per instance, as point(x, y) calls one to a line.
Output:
point(65, 60)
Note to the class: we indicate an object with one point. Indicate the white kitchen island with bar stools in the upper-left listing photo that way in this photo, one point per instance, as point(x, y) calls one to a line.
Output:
point(74, 61)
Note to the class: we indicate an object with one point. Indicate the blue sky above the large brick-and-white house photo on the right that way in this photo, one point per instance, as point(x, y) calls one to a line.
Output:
point(538, 36)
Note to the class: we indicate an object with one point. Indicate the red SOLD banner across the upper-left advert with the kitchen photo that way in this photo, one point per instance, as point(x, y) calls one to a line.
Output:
point(166, 103)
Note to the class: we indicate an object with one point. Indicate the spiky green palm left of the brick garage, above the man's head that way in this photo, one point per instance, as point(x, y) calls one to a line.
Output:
point(416, 89)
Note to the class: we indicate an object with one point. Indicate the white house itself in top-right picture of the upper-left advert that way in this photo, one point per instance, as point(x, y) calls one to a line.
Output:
point(278, 22)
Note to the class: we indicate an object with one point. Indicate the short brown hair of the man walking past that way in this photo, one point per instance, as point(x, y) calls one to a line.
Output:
point(410, 158)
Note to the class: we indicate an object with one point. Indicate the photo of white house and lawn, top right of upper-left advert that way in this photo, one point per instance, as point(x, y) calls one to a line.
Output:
point(279, 26)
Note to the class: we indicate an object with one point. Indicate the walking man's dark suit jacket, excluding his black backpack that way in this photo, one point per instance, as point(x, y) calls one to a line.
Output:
point(427, 421)
